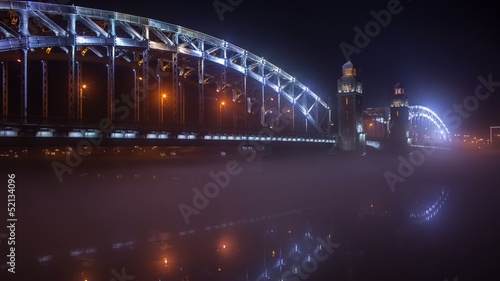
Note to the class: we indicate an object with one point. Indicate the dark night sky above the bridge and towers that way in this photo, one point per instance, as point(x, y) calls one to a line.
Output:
point(437, 49)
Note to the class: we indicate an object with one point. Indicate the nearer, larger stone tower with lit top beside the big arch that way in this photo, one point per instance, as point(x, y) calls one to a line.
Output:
point(350, 110)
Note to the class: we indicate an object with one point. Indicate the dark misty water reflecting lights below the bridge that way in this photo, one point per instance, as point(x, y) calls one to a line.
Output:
point(278, 217)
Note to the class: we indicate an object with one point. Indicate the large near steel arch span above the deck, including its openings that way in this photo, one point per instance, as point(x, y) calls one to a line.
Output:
point(164, 61)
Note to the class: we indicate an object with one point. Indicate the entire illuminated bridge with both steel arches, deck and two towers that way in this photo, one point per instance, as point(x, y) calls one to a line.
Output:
point(78, 72)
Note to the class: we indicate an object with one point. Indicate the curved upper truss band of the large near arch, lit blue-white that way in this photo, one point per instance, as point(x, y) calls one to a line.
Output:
point(129, 31)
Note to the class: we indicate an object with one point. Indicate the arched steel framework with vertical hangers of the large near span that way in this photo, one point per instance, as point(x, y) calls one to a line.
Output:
point(28, 27)
